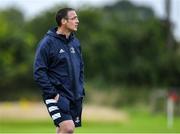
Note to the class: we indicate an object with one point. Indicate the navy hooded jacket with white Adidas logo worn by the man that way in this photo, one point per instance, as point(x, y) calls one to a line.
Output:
point(58, 66)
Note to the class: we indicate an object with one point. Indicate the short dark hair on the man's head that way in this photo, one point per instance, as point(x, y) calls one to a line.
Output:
point(62, 13)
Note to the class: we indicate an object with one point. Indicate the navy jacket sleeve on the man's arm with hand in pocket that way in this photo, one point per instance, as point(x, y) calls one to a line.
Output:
point(41, 71)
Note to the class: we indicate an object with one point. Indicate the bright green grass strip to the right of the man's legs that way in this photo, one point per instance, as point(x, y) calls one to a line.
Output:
point(137, 123)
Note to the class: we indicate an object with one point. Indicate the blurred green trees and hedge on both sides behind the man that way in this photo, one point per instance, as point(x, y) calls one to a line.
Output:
point(122, 44)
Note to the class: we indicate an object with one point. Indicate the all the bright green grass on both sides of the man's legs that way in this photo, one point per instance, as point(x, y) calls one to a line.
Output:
point(138, 122)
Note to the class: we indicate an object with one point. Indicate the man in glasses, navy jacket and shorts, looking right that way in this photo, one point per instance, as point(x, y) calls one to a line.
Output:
point(58, 70)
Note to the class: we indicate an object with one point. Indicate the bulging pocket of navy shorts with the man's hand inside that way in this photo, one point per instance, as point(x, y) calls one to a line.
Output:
point(63, 104)
